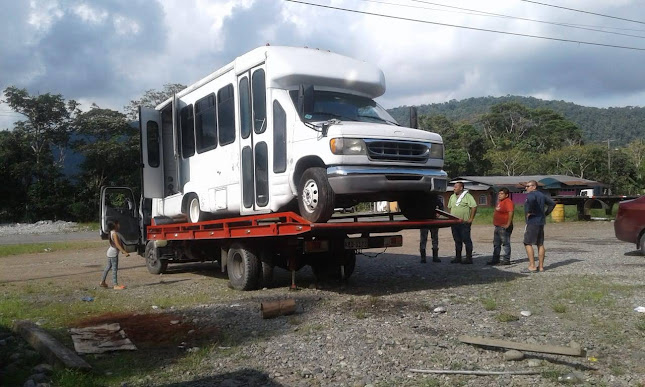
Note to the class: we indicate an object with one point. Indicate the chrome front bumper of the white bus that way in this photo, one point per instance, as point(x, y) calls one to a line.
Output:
point(347, 180)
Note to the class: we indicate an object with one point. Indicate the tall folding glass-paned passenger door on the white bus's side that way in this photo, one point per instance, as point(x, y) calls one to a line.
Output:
point(255, 138)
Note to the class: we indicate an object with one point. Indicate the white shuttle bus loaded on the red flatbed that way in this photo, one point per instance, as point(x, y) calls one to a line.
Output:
point(281, 127)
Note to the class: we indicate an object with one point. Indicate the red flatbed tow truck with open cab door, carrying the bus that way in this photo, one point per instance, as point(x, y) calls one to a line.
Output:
point(249, 247)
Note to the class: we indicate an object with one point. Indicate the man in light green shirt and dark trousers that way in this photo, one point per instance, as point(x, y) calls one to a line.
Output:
point(462, 205)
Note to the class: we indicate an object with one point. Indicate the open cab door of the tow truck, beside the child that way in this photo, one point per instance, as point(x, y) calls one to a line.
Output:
point(117, 204)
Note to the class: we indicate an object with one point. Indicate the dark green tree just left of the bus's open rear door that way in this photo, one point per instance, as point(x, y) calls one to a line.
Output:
point(110, 147)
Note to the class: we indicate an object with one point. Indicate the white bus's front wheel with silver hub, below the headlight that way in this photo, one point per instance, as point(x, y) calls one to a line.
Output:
point(315, 196)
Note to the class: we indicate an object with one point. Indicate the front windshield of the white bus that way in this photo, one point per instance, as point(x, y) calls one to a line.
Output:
point(345, 107)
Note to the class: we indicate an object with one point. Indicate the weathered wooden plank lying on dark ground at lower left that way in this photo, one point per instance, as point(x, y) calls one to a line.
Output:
point(50, 348)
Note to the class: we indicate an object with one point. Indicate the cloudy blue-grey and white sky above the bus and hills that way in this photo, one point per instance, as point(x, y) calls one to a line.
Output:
point(110, 52)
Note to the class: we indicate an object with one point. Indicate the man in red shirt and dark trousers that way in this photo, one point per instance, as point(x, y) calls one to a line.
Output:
point(503, 221)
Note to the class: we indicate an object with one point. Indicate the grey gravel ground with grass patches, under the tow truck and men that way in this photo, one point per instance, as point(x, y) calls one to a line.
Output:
point(383, 322)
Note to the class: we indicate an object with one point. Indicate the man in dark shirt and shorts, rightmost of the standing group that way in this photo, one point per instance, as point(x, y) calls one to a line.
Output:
point(535, 221)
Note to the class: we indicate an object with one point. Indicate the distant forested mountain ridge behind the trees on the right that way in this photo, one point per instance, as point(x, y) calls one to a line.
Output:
point(622, 124)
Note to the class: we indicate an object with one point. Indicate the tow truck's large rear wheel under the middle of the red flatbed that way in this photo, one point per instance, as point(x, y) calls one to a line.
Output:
point(243, 267)
